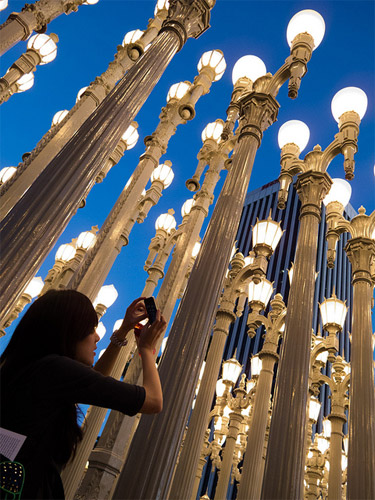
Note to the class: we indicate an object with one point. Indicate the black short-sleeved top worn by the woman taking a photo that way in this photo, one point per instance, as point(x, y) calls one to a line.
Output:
point(38, 402)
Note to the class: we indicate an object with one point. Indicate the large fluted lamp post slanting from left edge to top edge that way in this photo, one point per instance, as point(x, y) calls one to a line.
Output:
point(50, 203)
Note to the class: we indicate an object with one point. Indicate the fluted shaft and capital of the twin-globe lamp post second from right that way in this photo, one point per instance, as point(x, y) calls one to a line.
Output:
point(284, 469)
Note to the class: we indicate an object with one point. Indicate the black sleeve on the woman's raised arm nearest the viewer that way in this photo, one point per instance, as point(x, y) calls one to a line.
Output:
point(77, 383)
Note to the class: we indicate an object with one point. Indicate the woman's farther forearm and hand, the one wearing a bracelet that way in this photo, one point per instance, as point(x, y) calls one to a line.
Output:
point(135, 313)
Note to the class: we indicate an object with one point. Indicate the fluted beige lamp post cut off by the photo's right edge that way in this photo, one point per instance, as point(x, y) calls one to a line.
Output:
point(361, 251)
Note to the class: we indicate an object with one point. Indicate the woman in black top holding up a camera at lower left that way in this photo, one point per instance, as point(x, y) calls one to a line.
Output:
point(46, 370)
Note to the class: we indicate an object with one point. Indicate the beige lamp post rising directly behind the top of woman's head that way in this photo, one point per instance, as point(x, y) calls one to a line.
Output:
point(114, 232)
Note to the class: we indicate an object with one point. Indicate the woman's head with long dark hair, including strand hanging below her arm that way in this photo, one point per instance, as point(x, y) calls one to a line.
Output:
point(53, 324)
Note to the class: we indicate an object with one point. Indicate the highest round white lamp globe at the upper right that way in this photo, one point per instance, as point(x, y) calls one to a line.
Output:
point(306, 21)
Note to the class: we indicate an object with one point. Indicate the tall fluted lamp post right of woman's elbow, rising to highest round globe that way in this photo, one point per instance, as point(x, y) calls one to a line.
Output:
point(184, 351)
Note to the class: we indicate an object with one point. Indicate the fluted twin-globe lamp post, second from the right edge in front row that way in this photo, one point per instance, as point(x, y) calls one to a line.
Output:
point(284, 465)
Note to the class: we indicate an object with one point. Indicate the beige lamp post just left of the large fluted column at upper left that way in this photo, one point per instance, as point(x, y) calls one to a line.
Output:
point(52, 142)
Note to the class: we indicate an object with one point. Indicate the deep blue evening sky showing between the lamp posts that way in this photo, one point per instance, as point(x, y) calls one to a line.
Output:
point(88, 41)
